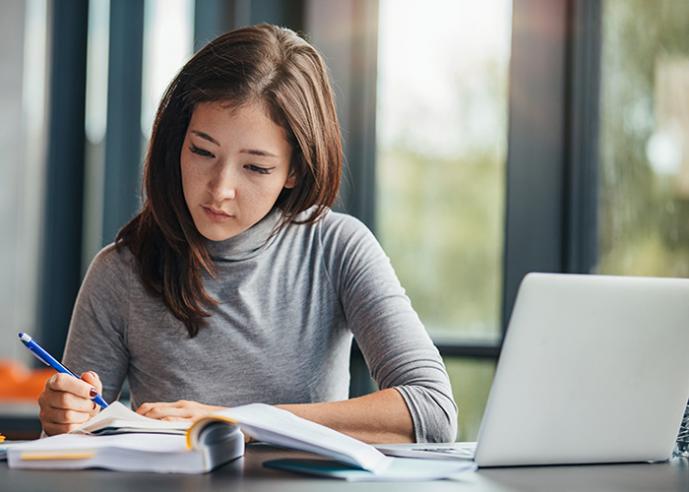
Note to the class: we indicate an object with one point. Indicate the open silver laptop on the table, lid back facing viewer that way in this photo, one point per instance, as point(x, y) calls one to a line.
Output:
point(593, 369)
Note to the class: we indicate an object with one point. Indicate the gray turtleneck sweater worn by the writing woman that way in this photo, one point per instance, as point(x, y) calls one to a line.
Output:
point(289, 305)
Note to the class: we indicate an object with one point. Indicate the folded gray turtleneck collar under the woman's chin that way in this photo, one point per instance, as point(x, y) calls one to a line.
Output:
point(248, 243)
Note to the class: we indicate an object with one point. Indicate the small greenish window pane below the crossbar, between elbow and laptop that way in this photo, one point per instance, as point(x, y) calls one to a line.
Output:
point(471, 380)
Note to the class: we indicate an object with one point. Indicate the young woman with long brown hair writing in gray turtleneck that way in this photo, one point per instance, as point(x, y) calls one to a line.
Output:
point(236, 283)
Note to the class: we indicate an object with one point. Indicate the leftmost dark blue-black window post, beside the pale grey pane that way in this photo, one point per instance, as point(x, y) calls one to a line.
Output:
point(64, 186)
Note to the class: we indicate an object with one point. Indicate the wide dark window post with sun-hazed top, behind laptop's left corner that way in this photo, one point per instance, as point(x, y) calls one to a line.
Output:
point(537, 142)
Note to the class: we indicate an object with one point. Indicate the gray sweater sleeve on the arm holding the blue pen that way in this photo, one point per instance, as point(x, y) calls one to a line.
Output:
point(97, 332)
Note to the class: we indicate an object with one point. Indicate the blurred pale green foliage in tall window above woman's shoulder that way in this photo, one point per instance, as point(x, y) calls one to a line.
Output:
point(441, 224)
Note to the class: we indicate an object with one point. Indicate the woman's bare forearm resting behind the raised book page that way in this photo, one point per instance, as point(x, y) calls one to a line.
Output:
point(380, 417)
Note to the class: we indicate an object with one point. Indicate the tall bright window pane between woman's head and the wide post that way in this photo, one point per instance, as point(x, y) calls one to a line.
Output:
point(441, 146)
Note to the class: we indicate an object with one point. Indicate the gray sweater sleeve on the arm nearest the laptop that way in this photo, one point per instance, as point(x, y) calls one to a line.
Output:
point(397, 349)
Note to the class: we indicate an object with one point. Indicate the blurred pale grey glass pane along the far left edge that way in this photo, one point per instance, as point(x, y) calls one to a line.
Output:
point(24, 54)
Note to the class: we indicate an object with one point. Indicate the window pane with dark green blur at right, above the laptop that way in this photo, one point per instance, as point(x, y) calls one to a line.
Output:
point(644, 149)
